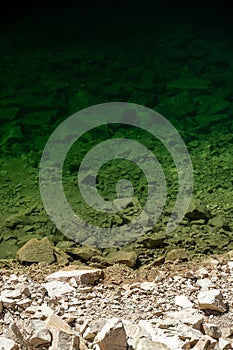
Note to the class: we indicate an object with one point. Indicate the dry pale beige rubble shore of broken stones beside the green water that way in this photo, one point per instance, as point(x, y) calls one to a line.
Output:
point(75, 310)
